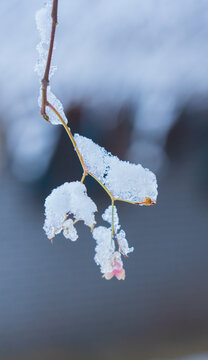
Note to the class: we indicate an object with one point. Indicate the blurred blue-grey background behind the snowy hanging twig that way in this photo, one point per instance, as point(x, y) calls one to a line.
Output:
point(133, 76)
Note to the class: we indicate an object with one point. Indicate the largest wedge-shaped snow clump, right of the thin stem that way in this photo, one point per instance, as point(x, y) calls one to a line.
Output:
point(124, 180)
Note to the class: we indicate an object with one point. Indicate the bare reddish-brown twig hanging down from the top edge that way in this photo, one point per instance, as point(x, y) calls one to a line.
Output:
point(45, 79)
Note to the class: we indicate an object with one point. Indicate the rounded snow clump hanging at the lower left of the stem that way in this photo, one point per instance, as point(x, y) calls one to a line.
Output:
point(68, 199)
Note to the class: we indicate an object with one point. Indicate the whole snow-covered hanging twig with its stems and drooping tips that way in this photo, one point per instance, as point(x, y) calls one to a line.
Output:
point(69, 203)
